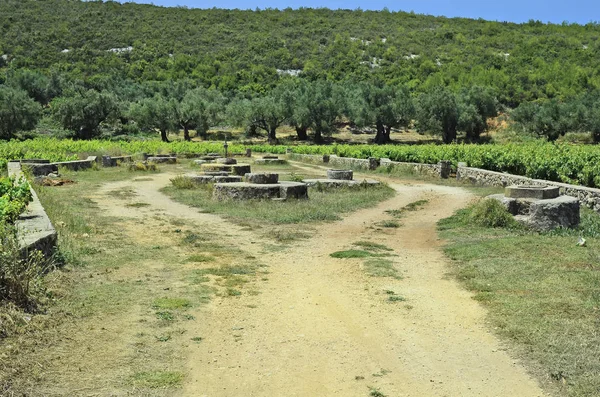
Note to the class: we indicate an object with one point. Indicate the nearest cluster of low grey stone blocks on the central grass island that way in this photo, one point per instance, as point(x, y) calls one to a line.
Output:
point(260, 186)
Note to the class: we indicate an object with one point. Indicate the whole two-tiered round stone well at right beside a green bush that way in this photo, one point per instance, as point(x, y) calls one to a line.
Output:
point(540, 207)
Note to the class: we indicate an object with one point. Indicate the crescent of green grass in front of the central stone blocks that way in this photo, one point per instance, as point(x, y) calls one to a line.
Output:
point(321, 206)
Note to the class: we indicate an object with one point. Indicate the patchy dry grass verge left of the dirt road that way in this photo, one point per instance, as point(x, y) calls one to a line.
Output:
point(126, 299)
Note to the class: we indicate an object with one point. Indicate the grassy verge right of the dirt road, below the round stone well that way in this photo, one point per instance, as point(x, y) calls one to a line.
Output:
point(542, 292)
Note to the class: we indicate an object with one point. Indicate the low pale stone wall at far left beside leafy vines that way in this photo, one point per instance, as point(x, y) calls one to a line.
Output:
point(34, 228)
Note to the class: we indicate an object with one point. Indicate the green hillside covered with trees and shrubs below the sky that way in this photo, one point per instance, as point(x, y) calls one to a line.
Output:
point(128, 60)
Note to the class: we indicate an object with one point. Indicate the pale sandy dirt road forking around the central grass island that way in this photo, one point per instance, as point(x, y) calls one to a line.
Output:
point(321, 327)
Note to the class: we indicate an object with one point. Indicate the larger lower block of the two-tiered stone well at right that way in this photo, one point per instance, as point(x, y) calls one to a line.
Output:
point(553, 213)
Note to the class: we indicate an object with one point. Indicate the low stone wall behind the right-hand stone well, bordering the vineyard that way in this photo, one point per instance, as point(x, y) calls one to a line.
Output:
point(589, 197)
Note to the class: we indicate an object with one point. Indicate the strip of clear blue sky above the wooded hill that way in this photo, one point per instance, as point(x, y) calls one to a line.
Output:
point(555, 11)
